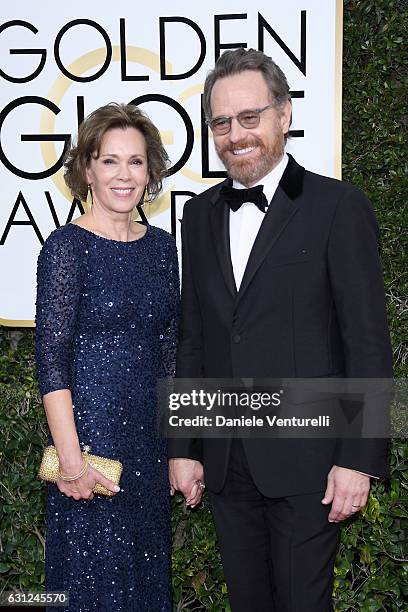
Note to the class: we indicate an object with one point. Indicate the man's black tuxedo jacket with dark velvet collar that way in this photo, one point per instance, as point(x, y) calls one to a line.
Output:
point(311, 304)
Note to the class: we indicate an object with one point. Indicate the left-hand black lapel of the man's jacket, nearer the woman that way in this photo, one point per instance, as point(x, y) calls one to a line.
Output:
point(219, 218)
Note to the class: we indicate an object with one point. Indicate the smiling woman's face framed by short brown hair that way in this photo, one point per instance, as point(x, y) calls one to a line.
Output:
point(120, 174)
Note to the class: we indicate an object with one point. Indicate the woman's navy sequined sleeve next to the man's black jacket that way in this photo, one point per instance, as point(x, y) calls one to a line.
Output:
point(169, 336)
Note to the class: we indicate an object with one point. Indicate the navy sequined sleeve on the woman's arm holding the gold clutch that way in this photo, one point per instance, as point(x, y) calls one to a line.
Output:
point(58, 295)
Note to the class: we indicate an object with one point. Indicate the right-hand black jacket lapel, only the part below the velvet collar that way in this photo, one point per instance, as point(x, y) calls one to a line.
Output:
point(280, 212)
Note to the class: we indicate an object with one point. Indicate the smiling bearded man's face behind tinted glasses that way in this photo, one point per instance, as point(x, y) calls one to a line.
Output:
point(249, 154)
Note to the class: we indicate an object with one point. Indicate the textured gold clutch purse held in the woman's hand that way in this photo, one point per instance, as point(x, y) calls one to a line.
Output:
point(110, 468)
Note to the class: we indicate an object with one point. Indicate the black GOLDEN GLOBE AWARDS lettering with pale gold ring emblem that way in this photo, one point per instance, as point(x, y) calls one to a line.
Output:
point(89, 68)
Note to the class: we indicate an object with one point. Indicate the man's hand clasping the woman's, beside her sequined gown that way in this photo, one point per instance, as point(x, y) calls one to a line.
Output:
point(187, 476)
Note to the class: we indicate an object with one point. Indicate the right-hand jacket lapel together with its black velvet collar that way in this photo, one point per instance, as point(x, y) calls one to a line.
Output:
point(280, 211)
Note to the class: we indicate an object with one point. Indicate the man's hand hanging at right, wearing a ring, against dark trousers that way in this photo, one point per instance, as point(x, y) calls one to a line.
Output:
point(347, 491)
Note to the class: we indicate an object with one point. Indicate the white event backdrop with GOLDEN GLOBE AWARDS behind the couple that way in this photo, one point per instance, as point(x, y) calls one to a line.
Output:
point(58, 62)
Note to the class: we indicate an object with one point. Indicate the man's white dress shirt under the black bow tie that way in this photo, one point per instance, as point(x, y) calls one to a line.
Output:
point(246, 221)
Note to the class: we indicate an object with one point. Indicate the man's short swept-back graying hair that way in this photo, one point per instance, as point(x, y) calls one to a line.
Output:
point(238, 60)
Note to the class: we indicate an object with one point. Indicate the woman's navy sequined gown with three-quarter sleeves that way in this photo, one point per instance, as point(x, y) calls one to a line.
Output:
point(106, 330)
